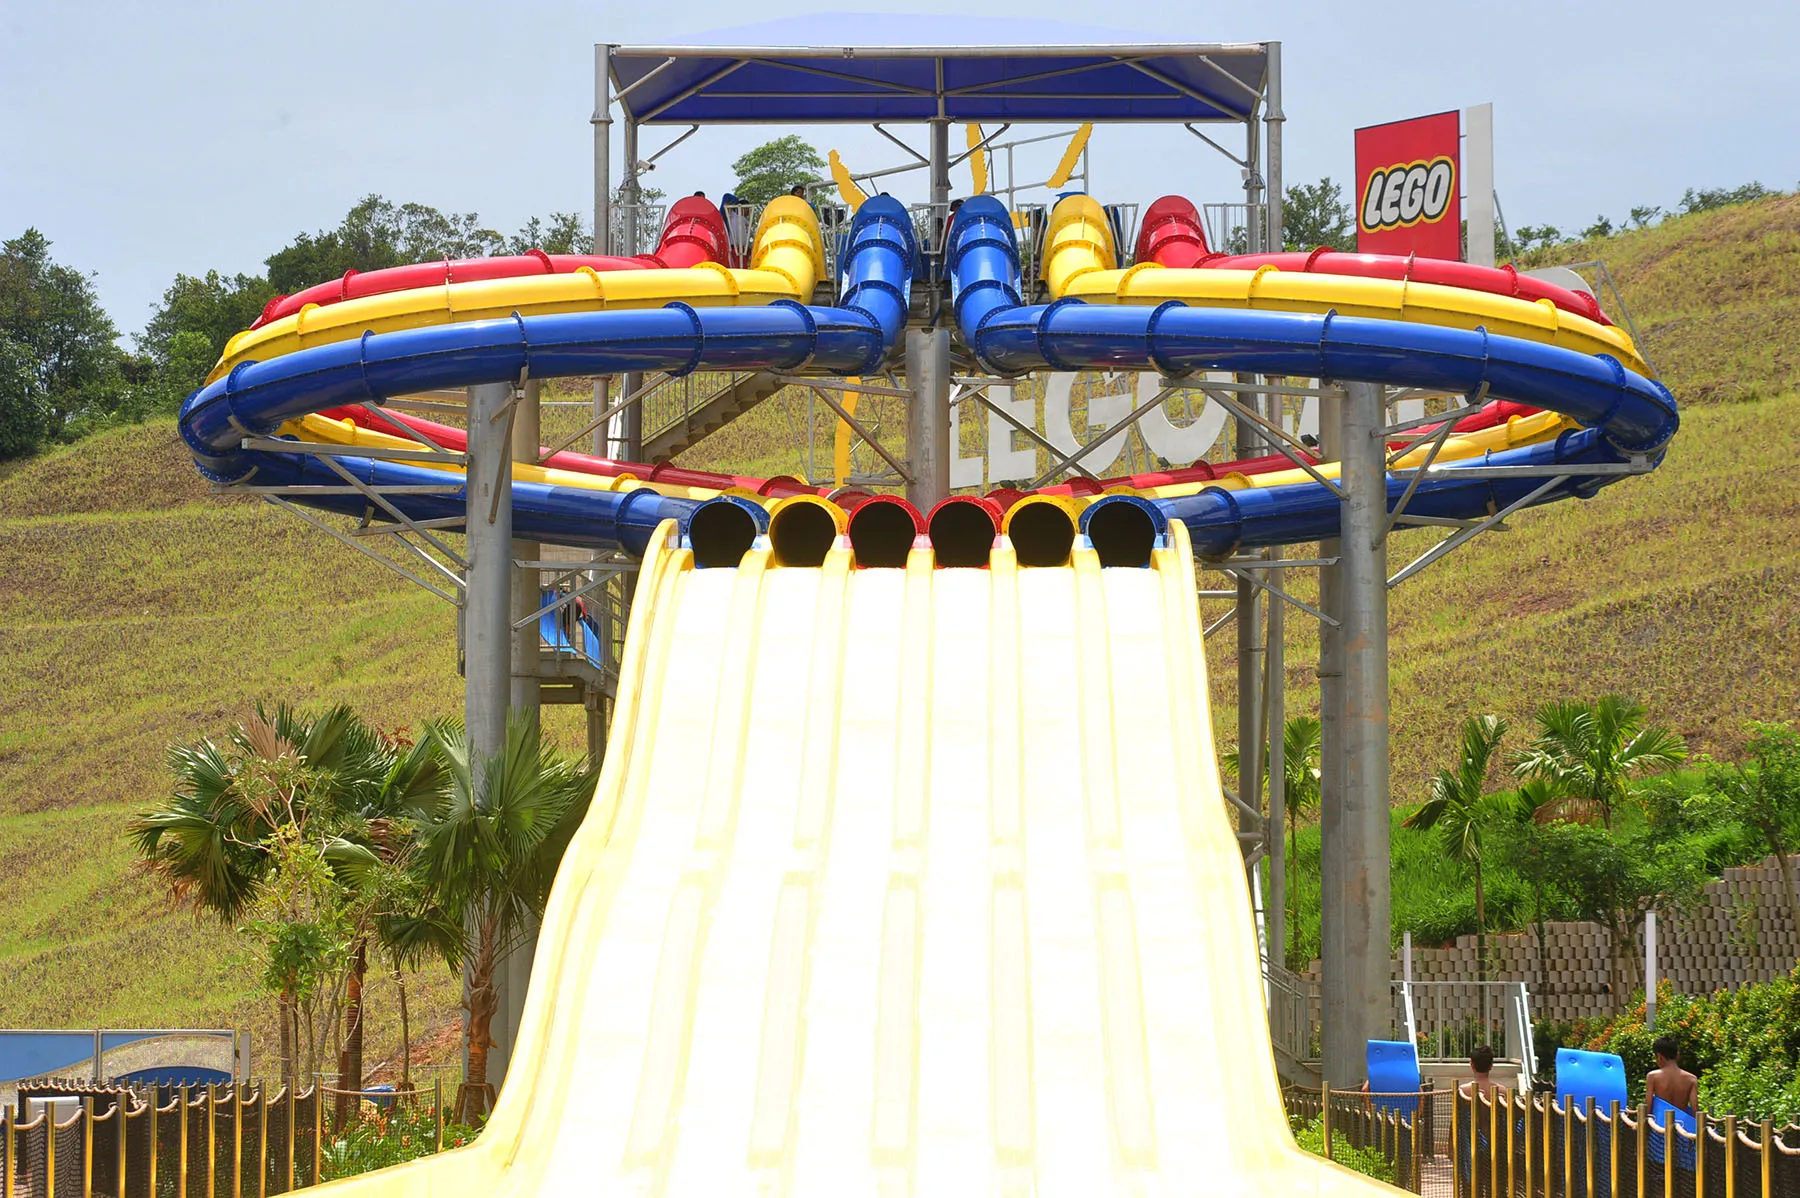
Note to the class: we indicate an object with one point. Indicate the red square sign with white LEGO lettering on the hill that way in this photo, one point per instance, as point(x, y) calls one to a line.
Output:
point(1408, 188)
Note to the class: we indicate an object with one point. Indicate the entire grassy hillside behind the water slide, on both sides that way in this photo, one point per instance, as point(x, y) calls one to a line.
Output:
point(138, 609)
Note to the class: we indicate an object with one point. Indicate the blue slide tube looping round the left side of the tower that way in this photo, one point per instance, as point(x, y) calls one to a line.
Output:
point(256, 398)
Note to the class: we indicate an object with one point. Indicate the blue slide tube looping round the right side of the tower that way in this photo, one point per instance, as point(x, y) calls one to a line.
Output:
point(1628, 415)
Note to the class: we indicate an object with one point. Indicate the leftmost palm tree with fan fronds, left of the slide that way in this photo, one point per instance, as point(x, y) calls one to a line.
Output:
point(211, 841)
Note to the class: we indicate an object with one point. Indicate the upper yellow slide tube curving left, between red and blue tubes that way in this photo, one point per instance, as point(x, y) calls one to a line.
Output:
point(787, 264)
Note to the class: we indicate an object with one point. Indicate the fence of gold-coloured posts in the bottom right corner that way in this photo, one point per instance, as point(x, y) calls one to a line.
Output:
point(1534, 1147)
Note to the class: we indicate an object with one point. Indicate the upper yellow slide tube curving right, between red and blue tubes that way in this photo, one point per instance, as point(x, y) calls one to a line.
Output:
point(1079, 262)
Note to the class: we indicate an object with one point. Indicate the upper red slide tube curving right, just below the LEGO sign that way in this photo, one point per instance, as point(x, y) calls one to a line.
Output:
point(1171, 237)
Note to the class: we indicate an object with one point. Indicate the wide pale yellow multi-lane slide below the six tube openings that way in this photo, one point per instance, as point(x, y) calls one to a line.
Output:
point(897, 882)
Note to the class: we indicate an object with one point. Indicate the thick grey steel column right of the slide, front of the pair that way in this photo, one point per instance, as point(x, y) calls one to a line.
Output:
point(1354, 850)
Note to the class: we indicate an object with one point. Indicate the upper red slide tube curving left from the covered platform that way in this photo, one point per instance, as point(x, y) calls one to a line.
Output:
point(692, 235)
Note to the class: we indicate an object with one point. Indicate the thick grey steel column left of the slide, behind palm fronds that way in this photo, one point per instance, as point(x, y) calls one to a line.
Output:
point(487, 607)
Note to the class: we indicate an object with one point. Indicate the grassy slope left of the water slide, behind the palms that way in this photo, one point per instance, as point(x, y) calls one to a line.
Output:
point(136, 611)
